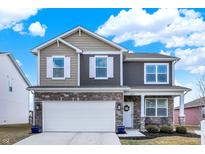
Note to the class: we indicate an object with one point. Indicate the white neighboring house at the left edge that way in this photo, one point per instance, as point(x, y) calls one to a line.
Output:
point(14, 98)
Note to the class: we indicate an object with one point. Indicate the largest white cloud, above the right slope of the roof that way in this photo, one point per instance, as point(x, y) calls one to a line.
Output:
point(172, 27)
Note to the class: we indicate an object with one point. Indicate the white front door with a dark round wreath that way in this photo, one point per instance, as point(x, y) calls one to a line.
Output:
point(127, 114)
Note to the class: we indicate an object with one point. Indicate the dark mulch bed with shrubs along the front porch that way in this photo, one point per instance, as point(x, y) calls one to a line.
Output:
point(155, 135)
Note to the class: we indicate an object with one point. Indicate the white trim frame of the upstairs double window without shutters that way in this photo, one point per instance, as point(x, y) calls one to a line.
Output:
point(156, 82)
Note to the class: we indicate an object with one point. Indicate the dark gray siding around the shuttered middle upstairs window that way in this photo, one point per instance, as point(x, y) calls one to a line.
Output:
point(84, 72)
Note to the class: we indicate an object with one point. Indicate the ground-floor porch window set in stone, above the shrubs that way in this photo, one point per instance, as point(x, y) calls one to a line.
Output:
point(156, 107)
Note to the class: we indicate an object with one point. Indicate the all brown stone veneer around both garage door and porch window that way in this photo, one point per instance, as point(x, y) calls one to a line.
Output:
point(138, 122)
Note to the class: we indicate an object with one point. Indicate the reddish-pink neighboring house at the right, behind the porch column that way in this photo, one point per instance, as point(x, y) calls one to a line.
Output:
point(194, 112)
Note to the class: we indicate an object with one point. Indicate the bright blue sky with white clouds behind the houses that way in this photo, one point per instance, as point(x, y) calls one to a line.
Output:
point(176, 32)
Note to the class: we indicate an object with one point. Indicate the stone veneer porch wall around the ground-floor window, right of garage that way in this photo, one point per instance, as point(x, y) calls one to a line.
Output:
point(140, 121)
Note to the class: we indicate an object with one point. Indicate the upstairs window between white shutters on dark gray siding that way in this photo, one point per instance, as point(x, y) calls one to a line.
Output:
point(101, 67)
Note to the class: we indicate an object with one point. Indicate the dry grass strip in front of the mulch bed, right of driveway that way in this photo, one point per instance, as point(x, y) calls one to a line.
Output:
point(169, 140)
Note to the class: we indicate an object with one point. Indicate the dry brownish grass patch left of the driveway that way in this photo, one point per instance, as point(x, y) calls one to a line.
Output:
point(14, 133)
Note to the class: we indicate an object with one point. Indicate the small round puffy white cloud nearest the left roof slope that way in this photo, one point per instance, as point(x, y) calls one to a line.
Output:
point(37, 29)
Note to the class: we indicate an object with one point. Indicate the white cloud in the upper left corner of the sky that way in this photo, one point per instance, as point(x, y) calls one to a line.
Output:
point(10, 17)
